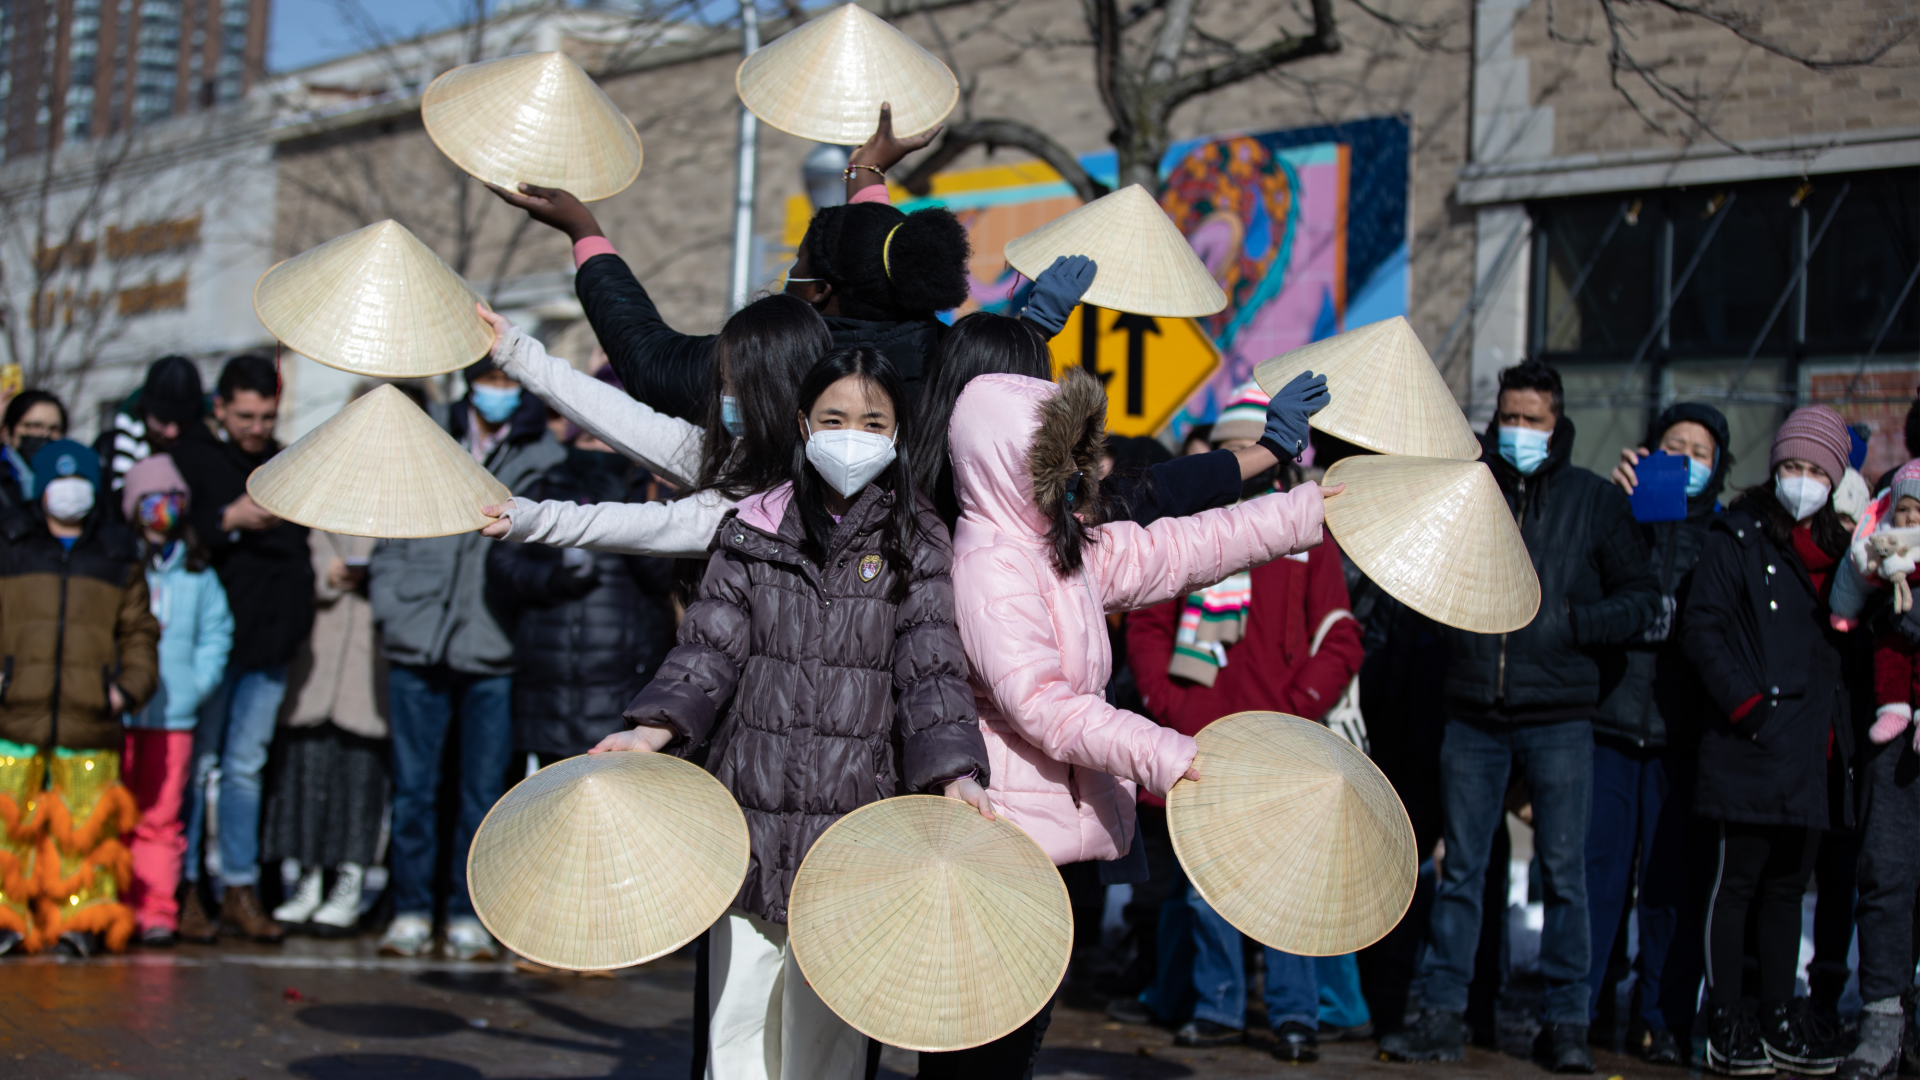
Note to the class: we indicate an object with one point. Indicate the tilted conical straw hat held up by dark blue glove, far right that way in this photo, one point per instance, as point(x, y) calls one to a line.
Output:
point(1387, 393)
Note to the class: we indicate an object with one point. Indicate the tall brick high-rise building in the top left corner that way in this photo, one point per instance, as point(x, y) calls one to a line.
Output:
point(72, 70)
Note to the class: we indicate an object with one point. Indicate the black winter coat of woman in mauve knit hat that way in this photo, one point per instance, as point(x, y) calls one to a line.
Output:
point(1754, 626)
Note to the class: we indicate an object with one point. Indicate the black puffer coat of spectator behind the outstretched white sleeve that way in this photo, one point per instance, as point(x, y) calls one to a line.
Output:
point(583, 643)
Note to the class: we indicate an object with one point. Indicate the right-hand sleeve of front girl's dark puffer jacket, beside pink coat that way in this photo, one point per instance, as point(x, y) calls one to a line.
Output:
point(936, 720)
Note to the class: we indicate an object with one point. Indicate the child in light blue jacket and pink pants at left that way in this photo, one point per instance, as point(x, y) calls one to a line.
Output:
point(197, 633)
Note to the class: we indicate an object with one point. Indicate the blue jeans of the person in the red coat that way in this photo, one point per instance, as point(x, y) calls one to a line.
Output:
point(1203, 971)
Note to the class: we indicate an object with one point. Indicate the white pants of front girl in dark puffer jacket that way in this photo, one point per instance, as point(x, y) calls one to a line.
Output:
point(765, 1021)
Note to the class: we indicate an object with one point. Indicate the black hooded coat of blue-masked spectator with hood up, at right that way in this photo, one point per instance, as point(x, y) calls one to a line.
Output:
point(1652, 697)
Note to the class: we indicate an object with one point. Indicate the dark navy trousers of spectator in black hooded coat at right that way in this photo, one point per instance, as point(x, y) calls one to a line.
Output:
point(1641, 798)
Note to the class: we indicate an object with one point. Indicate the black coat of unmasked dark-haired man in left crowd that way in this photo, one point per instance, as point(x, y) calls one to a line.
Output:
point(268, 574)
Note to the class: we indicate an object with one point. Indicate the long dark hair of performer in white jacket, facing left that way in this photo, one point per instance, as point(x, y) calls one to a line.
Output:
point(767, 347)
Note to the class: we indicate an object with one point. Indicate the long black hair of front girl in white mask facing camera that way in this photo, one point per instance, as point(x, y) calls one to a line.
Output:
point(809, 489)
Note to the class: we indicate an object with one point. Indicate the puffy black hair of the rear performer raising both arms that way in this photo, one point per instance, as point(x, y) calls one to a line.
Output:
point(921, 272)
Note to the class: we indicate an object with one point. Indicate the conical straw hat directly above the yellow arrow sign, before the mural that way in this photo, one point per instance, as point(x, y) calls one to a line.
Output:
point(1145, 264)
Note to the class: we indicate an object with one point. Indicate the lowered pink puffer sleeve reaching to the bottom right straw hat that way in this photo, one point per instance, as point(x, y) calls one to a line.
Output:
point(1011, 643)
